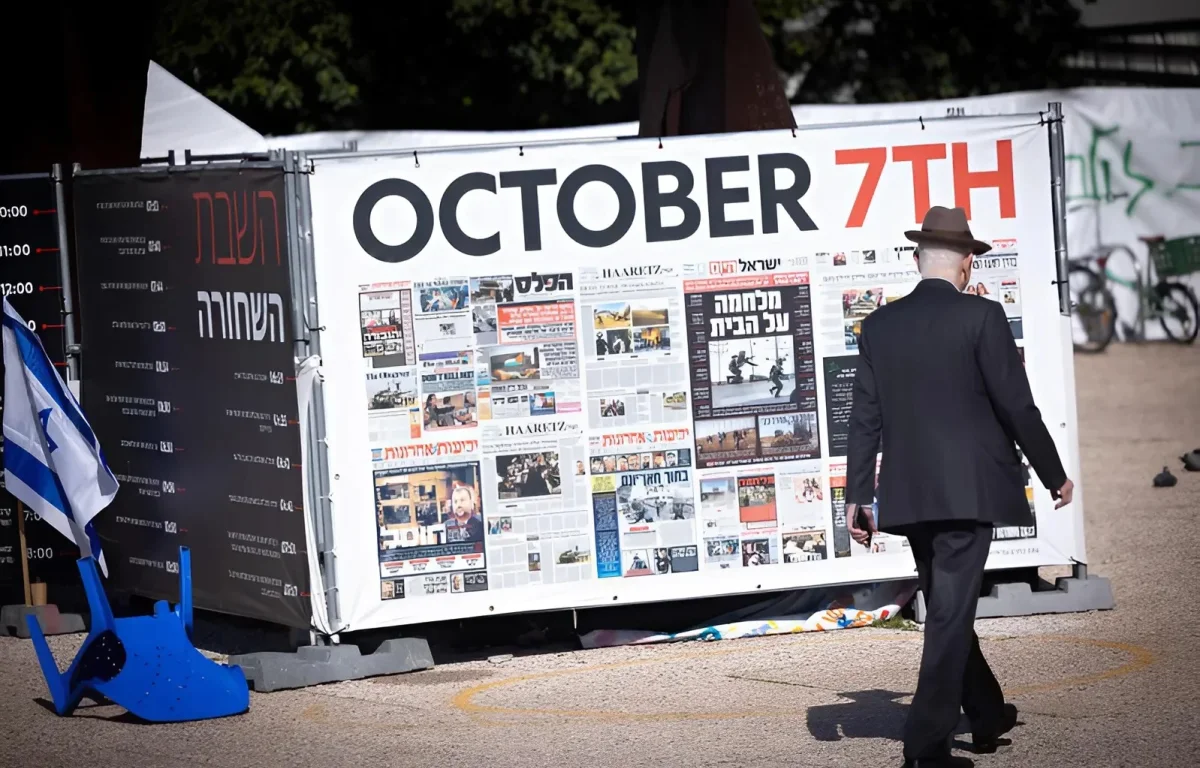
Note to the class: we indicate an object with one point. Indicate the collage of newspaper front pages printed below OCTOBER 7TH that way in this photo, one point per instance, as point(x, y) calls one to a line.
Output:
point(542, 429)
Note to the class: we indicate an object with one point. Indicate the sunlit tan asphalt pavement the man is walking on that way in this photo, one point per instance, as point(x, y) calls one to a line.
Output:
point(1102, 689)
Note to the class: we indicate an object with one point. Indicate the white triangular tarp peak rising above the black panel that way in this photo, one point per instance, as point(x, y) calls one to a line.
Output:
point(181, 118)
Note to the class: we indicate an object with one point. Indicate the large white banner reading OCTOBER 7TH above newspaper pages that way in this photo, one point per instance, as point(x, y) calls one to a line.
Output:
point(574, 376)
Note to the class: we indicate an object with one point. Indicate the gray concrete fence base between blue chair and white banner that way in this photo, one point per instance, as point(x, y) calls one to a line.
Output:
point(314, 665)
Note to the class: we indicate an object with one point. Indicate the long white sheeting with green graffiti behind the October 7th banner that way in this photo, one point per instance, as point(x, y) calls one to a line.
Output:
point(1133, 158)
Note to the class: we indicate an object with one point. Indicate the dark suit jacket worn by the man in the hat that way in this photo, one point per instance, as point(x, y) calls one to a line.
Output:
point(941, 380)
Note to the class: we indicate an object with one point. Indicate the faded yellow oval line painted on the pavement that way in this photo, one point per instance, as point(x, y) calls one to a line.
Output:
point(466, 700)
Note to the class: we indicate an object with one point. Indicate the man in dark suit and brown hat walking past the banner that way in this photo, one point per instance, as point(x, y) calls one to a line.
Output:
point(941, 381)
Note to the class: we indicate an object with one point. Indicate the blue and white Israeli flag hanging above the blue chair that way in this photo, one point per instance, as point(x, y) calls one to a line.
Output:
point(52, 460)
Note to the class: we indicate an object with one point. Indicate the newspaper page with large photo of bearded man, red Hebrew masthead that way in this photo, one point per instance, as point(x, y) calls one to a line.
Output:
point(430, 520)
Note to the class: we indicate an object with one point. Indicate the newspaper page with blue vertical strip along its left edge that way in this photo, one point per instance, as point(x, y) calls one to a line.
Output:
point(643, 502)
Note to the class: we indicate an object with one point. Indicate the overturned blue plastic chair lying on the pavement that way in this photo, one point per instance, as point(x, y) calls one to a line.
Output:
point(146, 664)
